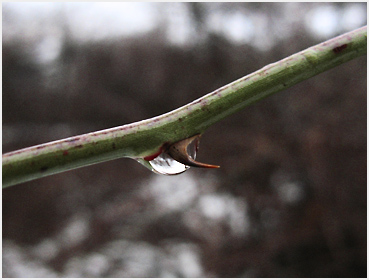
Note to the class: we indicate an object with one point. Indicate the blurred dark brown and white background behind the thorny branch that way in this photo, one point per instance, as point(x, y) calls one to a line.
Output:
point(290, 197)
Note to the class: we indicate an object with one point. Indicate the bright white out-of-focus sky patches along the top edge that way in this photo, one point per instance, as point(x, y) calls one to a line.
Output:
point(100, 20)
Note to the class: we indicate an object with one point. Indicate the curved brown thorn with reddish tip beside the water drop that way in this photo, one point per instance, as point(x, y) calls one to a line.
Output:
point(178, 151)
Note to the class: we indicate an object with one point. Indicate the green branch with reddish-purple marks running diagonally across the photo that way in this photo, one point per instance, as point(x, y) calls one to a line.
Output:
point(145, 138)
